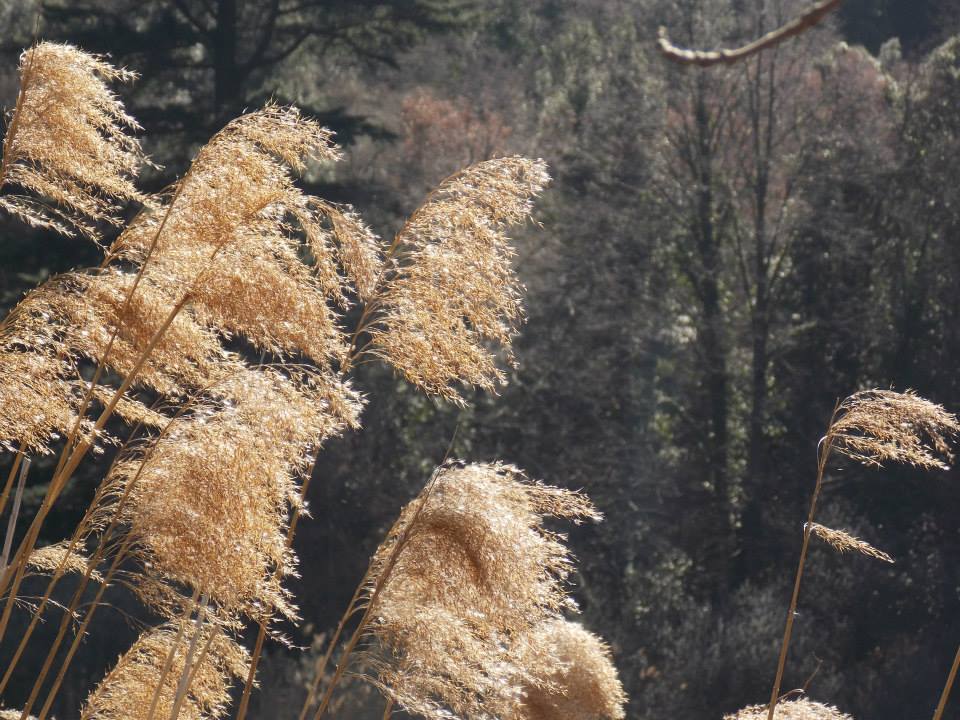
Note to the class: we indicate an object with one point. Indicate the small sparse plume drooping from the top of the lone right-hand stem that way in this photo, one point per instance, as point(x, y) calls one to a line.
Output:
point(877, 426)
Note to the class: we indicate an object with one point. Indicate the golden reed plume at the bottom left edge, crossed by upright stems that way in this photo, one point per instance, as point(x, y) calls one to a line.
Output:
point(126, 693)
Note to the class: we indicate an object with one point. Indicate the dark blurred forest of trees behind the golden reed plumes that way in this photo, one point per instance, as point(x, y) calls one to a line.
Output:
point(724, 254)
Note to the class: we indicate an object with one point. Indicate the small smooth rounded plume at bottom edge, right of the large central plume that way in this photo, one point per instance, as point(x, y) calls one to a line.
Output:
point(573, 676)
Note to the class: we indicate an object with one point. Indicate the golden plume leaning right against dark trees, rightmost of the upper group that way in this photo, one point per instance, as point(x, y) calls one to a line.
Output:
point(452, 288)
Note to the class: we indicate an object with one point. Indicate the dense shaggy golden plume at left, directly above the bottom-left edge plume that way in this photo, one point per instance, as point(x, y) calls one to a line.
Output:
point(208, 502)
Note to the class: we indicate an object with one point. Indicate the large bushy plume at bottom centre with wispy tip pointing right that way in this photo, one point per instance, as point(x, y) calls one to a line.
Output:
point(467, 568)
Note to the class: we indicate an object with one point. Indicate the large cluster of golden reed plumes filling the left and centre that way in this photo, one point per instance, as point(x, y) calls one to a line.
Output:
point(463, 604)
